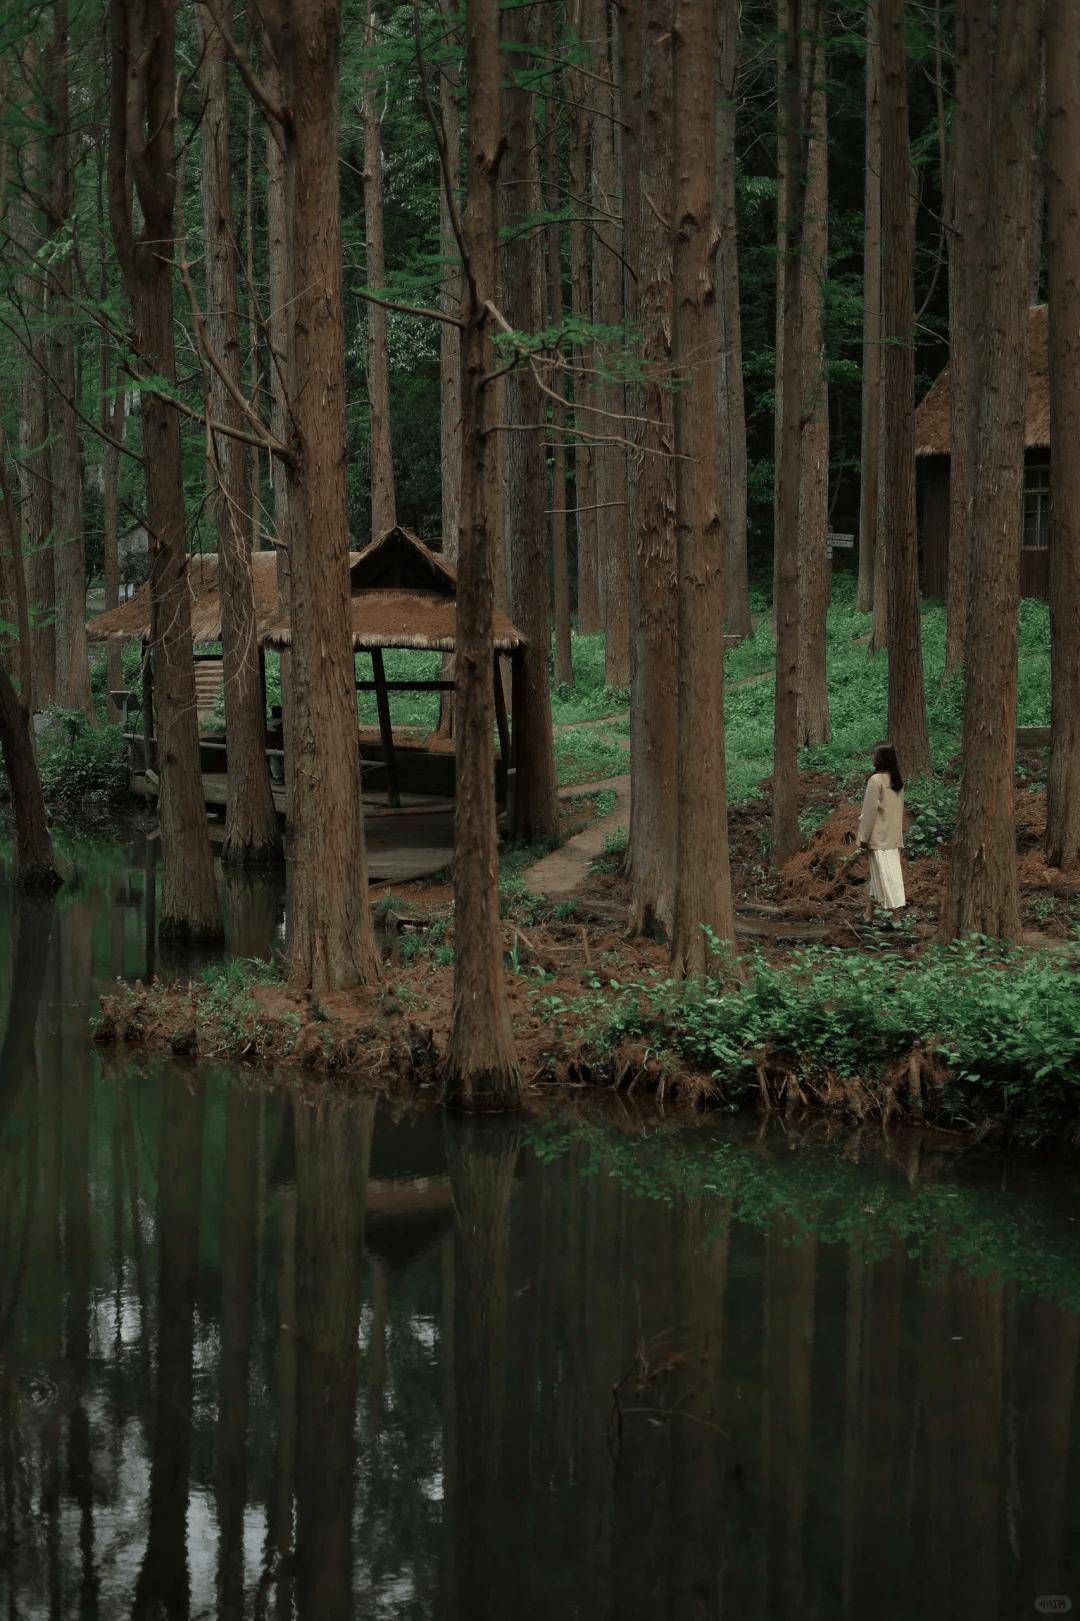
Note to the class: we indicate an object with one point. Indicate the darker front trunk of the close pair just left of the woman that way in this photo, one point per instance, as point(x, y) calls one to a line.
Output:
point(791, 208)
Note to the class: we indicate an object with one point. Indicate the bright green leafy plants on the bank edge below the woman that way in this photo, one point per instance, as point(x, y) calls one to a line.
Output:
point(998, 1029)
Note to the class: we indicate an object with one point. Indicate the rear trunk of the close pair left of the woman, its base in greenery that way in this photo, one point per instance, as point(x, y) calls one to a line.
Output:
point(815, 576)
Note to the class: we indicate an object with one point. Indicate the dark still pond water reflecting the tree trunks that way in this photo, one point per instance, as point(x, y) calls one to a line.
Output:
point(285, 1354)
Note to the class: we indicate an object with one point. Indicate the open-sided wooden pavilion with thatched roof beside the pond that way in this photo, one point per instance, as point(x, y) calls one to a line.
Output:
point(403, 596)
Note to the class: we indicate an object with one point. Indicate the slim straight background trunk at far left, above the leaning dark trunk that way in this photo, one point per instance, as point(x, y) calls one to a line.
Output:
point(35, 450)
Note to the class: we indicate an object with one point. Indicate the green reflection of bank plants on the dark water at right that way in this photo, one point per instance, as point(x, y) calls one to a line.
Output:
point(823, 1194)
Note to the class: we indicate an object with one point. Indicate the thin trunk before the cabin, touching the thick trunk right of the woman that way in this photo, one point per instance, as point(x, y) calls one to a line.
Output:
point(966, 212)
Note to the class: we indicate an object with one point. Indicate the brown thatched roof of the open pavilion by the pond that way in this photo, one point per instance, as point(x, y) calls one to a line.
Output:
point(403, 596)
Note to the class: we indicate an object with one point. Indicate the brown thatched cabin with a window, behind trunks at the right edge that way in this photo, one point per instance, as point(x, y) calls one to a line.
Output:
point(933, 450)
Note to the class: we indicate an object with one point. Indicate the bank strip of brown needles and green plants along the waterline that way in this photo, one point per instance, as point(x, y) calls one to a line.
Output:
point(974, 1041)
